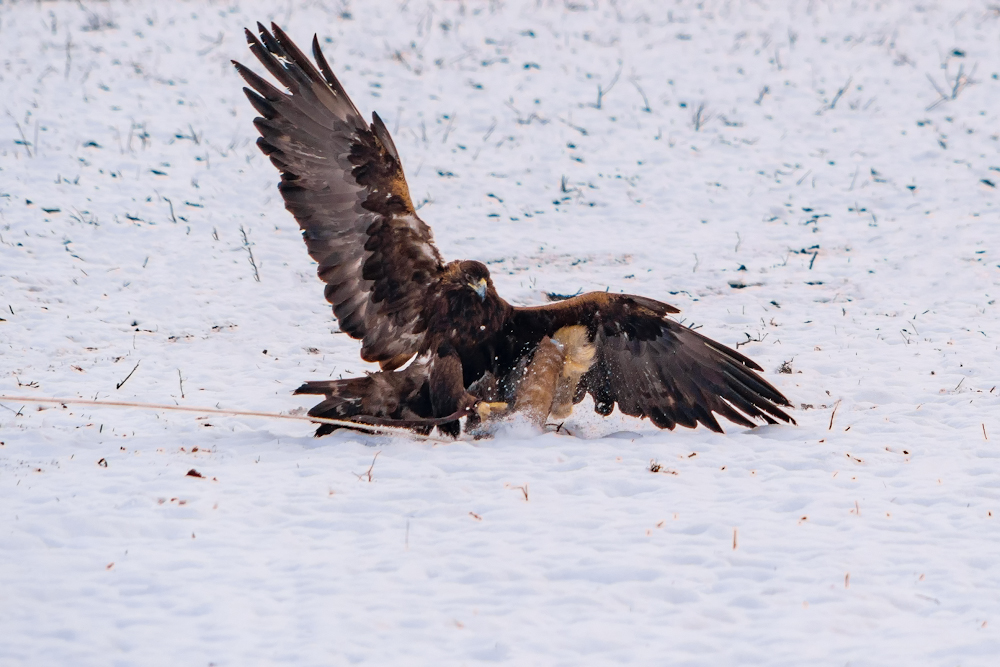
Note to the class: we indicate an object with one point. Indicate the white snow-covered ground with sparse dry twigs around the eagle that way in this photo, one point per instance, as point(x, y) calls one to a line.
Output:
point(786, 173)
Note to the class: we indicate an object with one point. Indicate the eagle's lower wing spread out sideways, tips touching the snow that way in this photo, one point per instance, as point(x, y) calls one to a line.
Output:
point(651, 366)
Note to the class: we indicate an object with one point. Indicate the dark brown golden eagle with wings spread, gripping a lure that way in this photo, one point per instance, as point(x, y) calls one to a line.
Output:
point(342, 180)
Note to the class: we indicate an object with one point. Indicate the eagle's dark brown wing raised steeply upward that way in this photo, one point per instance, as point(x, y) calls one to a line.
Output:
point(343, 182)
